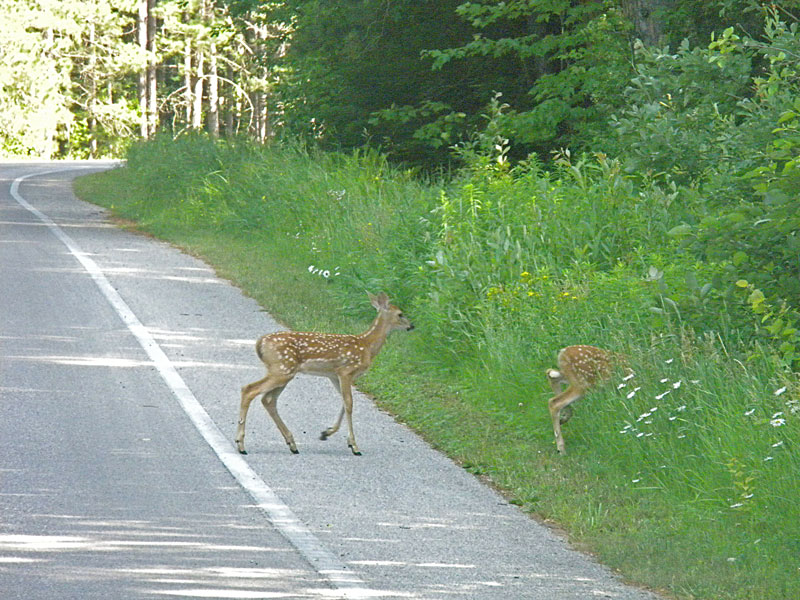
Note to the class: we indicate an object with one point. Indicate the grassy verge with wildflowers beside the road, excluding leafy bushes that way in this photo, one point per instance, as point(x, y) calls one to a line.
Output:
point(685, 480)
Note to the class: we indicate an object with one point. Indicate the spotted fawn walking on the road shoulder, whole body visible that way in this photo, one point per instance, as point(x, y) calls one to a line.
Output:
point(341, 358)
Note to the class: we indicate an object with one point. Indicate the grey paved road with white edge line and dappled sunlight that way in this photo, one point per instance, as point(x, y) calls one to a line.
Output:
point(120, 365)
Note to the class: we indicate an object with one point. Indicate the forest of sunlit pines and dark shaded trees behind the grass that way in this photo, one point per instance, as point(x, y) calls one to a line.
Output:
point(414, 77)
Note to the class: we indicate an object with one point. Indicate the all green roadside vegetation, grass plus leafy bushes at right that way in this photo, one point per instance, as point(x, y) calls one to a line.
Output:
point(673, 240)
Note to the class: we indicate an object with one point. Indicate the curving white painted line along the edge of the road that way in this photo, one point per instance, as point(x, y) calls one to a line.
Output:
point(281, 516)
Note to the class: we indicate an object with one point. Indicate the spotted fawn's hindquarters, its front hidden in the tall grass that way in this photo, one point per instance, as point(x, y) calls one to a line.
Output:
point(582, 368)
